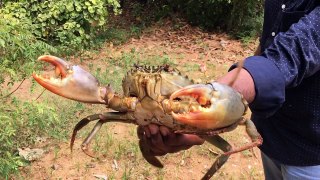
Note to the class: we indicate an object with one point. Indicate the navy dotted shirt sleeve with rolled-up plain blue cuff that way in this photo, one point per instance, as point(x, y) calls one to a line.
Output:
point(293, 56)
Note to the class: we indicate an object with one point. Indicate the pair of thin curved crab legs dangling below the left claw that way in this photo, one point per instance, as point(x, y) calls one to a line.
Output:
point(102, 118)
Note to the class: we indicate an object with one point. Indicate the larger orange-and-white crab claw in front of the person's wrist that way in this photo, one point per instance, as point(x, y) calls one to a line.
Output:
point(221, 106)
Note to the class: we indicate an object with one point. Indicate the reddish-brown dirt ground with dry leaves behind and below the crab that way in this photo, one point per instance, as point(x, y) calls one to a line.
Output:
point(120, 158)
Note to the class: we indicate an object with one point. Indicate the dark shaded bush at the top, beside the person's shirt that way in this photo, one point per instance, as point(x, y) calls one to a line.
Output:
point(242, 18)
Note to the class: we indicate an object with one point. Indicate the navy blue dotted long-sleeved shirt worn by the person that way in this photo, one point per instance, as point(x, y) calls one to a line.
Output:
point(286, 109)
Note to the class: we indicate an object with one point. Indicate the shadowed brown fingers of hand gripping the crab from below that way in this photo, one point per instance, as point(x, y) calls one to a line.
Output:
point(161, 140)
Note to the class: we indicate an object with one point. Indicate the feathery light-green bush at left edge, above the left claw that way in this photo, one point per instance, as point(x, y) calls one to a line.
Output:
point(19, 47)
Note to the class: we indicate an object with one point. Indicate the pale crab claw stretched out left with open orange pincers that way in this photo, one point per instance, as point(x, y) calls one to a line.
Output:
point(71, 82)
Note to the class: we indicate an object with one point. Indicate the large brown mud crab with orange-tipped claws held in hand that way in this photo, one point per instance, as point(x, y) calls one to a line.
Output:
point(159, 95)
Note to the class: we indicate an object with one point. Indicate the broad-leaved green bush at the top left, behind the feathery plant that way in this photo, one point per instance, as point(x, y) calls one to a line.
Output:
point(64, 22)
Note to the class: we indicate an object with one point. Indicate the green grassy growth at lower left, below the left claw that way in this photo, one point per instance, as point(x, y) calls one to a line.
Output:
point(22, 122)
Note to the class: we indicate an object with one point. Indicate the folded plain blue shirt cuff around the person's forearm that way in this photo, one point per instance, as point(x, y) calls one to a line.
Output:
point(269, 86)
